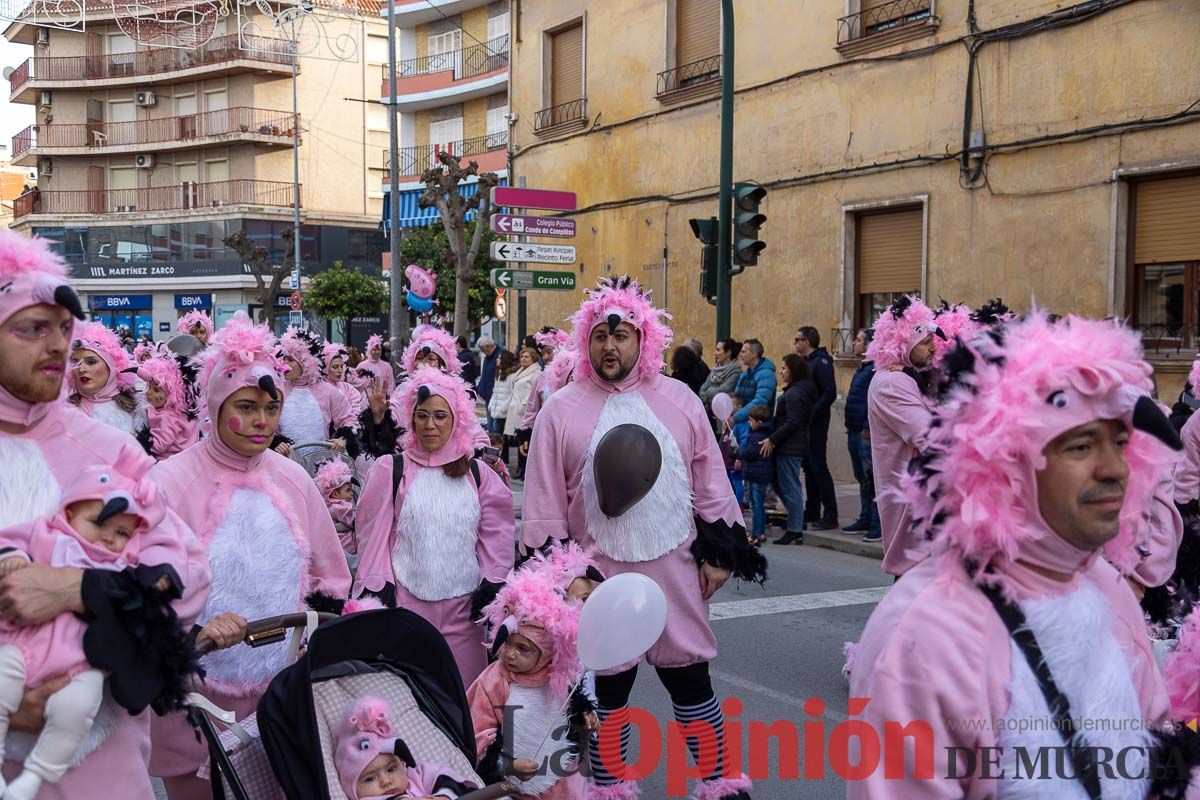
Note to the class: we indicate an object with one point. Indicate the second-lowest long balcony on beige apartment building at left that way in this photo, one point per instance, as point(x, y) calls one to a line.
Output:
point(188, 133)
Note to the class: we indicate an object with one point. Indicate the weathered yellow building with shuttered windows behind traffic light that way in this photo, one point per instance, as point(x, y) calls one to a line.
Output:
point(1057, 159)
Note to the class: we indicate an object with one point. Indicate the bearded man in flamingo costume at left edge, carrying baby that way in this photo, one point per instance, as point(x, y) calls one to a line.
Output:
point(45, 444)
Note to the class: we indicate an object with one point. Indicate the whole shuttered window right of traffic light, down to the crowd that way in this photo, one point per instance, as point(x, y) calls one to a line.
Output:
point(889, 258)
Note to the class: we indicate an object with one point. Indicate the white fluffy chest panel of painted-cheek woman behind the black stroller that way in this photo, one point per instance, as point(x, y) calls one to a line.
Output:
point(259, 570)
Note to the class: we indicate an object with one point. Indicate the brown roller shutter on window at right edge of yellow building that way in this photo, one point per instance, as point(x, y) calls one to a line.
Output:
point(1168, 226)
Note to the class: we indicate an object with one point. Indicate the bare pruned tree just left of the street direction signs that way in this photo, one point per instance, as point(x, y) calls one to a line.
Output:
point(442, 193)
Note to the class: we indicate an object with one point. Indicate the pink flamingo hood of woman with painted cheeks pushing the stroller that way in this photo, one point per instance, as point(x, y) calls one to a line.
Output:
point(241, 354)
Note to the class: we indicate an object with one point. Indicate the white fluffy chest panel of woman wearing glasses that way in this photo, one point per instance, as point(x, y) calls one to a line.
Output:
point(435, 552)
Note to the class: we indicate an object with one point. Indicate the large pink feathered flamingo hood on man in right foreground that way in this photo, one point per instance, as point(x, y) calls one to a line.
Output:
point(1012, 390)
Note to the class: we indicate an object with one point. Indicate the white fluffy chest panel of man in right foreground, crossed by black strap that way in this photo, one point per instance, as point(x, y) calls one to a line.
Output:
point(1094, 672)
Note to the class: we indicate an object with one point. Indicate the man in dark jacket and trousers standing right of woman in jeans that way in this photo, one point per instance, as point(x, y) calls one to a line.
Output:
point(823, 510)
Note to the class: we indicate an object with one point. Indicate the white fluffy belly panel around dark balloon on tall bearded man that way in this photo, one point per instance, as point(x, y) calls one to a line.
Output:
point(661, 521)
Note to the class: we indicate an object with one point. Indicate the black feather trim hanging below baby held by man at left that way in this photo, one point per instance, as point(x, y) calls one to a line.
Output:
point(135, 636)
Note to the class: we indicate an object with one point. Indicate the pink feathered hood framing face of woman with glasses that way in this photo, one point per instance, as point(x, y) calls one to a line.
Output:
point(427, 383)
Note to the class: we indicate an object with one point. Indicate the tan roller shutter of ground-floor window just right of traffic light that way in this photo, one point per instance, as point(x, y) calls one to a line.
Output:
point(890, 251)
